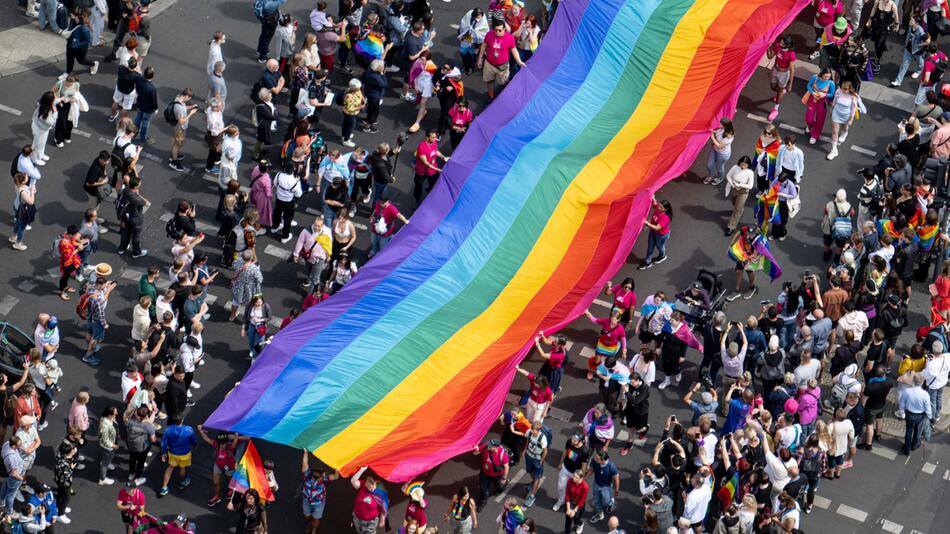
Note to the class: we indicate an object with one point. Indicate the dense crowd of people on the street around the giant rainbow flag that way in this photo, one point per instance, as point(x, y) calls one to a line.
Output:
point(780, 400)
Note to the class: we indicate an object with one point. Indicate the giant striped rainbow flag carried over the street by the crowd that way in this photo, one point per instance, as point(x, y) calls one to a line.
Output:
point(410, 364)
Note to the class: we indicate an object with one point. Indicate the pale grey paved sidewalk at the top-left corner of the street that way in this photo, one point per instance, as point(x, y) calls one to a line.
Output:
point(25, 47)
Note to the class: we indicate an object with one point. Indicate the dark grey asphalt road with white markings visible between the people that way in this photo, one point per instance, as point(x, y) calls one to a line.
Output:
point(883, 492)
